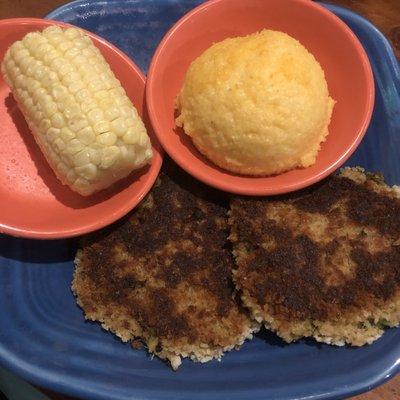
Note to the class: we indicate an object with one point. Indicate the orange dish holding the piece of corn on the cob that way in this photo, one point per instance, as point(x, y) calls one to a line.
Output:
point(33, 202)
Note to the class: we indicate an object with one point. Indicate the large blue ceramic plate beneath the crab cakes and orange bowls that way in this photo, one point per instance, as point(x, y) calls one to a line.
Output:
point(44, 338)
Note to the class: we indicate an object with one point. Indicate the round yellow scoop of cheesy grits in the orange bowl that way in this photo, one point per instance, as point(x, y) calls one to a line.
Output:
point(256, 105)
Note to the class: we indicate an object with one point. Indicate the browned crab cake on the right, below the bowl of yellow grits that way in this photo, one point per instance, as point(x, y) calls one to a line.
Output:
point(323, 262)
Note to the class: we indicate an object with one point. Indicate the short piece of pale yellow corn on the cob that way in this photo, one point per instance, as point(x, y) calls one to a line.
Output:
point(80, 116)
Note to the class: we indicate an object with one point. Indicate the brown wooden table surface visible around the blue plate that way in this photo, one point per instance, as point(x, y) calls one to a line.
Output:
point(385, 14)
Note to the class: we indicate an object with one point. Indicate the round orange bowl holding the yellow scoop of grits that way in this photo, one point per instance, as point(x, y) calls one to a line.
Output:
point(333, 44)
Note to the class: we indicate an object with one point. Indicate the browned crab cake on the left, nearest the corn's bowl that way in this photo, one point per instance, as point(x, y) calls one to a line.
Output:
point(164, 275)
